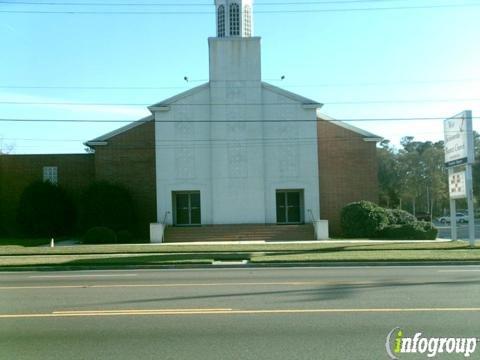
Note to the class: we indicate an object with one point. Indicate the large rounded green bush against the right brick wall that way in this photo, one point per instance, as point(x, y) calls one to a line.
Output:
point(363, 219)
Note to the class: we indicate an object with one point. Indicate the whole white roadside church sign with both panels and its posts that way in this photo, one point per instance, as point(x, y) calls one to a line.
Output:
point(459, 157)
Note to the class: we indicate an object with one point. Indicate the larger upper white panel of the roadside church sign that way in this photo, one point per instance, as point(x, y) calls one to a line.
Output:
point(458, 147)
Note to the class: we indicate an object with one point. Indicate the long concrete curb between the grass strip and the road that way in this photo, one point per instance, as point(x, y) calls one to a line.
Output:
point(241, 266)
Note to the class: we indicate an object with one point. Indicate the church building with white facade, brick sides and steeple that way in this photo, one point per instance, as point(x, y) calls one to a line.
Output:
point(236, 151)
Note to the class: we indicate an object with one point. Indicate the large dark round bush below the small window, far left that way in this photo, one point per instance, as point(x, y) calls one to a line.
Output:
point(45, 211)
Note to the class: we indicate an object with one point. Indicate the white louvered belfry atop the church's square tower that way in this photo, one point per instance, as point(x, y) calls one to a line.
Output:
point(234, 18)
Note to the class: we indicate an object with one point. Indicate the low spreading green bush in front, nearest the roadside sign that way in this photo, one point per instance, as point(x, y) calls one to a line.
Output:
point(419, 230)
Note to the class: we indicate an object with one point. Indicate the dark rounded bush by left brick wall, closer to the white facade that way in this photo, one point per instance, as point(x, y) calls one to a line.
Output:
point(108, 205)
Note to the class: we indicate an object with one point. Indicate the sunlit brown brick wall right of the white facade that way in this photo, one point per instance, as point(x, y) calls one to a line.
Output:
point(347, 168)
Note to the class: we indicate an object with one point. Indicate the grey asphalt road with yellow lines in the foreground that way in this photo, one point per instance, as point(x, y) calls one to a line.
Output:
point(289, 313)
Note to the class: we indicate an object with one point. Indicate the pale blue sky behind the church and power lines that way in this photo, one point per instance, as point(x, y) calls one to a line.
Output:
point(396, 63)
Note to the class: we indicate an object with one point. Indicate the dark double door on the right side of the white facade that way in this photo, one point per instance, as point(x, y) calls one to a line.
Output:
point(289, 206)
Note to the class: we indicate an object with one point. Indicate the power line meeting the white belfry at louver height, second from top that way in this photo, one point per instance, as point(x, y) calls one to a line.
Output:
point(297, 11)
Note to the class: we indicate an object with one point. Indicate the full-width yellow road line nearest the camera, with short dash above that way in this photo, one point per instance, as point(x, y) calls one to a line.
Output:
point(170, 312)
